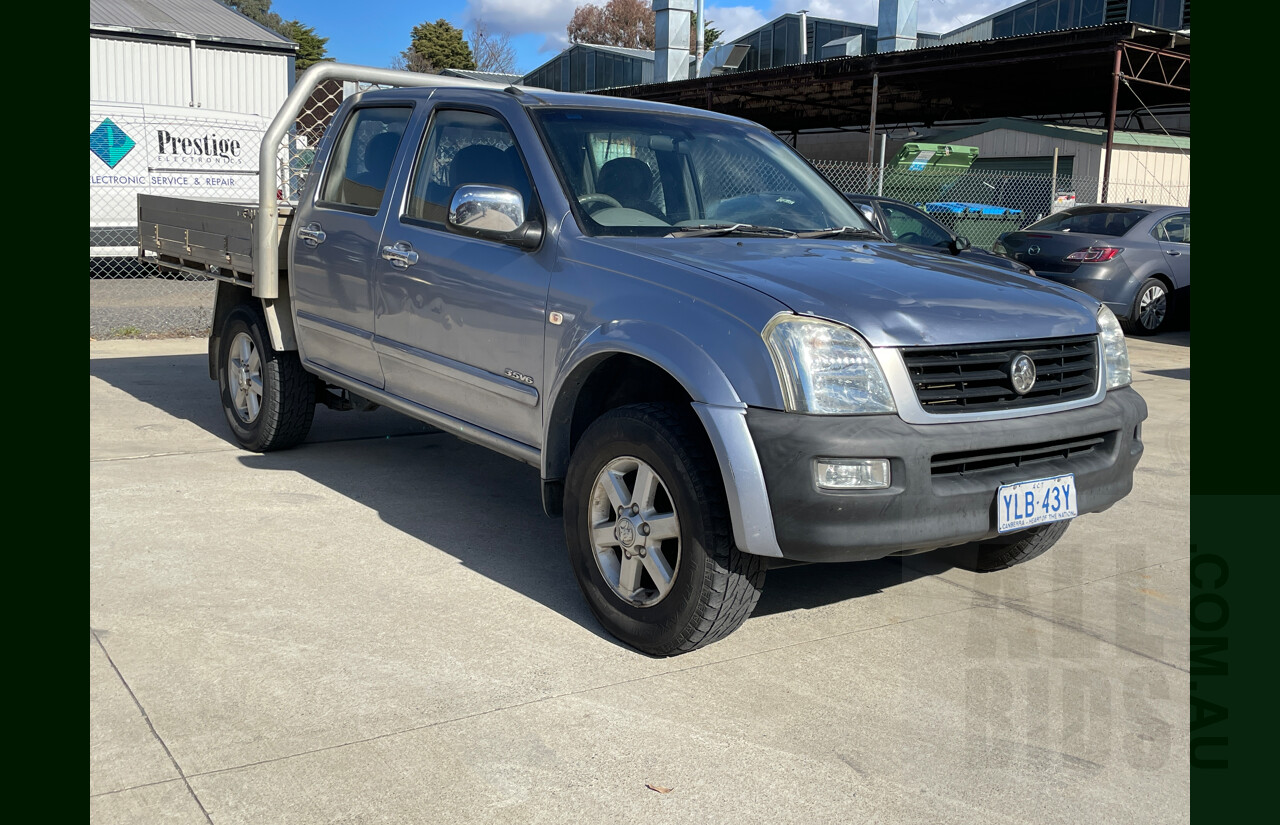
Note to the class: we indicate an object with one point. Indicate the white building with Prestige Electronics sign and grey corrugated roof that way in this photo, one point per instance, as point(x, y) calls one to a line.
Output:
point(181, 94)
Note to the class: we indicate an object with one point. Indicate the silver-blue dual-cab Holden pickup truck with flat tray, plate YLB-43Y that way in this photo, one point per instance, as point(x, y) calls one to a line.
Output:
point(715, 361)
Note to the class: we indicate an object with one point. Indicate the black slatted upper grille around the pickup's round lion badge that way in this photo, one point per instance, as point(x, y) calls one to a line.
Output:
point(975, 378)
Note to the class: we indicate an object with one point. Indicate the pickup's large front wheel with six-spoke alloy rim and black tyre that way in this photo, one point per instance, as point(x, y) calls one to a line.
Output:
point(650, 535)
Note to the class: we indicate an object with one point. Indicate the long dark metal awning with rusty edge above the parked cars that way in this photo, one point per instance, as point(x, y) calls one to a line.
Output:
point(1055, 74)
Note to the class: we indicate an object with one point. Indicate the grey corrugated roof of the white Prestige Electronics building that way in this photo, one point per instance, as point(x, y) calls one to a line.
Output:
point(207, 21)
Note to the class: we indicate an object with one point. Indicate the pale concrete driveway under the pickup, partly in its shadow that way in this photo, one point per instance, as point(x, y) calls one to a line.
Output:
point(381, 626)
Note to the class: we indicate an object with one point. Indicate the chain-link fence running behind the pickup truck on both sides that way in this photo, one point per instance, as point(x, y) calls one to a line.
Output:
point(216, 155)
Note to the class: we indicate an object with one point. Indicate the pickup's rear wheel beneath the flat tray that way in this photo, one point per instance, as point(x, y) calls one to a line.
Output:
point(268, 397)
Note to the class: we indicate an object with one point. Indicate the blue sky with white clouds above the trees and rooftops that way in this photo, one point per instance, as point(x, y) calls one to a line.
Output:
point(373, 33)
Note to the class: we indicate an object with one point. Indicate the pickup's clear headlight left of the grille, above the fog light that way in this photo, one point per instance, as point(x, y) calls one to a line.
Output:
point(826, 369)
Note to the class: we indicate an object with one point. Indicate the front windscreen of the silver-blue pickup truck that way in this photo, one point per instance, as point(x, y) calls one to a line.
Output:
point(648, 173)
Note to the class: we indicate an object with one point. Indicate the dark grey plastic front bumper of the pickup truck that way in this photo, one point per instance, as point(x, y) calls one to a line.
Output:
point(930, 507)
